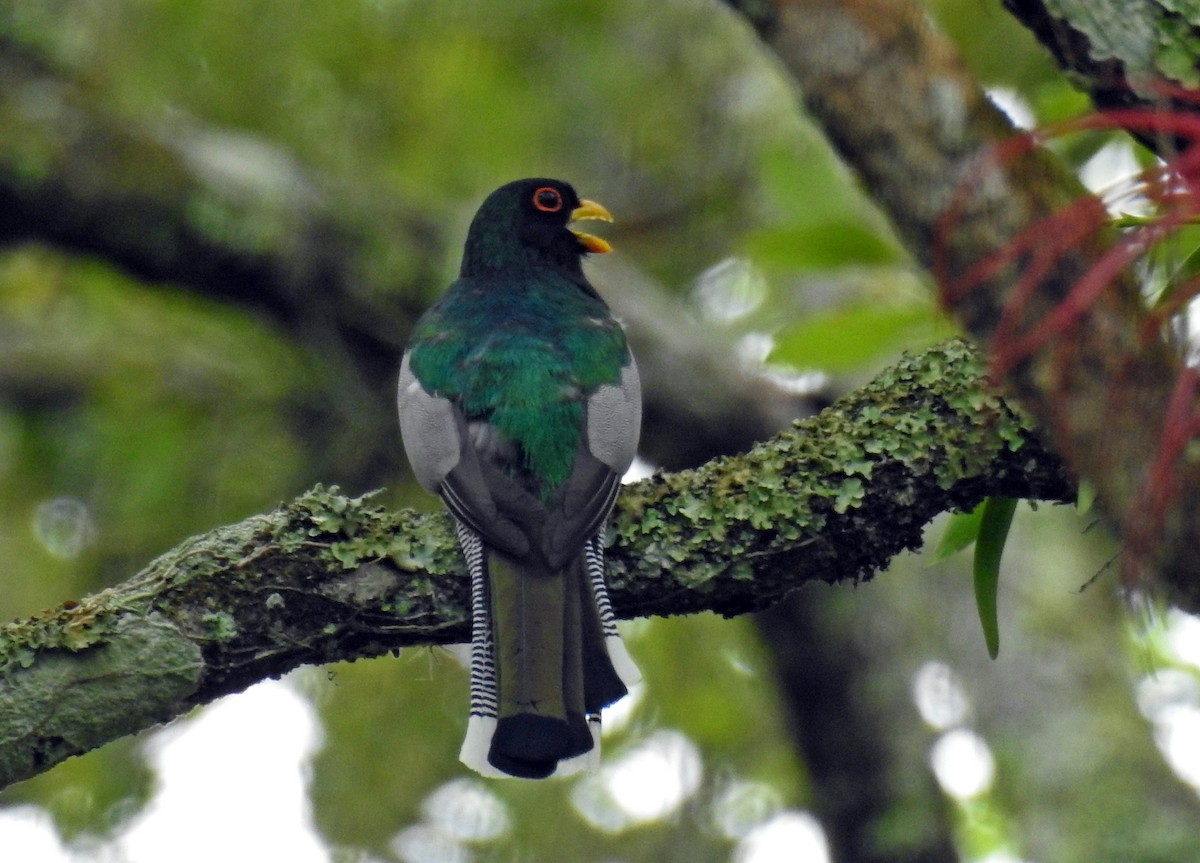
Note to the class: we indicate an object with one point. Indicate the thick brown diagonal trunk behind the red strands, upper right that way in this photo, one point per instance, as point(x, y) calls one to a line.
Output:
point(907, 116)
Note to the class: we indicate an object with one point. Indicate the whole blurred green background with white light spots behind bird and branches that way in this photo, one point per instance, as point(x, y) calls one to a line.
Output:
point(242, 209)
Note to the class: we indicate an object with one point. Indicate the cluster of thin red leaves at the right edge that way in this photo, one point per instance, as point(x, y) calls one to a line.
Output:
point(1042, 308)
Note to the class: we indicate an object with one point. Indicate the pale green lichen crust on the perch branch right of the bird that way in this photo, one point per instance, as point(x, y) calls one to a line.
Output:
point(929, 417)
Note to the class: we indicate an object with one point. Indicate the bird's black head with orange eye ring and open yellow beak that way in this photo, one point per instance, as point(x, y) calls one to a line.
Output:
point(529, 223)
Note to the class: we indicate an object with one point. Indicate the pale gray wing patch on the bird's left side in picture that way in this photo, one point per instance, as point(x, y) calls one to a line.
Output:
point(429, 429)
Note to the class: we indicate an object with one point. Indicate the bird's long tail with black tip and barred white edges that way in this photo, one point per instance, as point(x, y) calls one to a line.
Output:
point(545, 660)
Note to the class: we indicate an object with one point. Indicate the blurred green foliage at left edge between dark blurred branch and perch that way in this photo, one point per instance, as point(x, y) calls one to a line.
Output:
point(159, 413)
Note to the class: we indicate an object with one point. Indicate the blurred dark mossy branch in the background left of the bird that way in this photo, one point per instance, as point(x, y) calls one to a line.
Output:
point(221, 211)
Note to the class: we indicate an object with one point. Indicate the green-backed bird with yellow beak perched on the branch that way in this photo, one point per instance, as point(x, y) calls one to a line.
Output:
point(520, 406)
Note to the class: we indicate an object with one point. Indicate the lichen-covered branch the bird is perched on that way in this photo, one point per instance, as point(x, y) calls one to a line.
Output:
point(327, 578)
